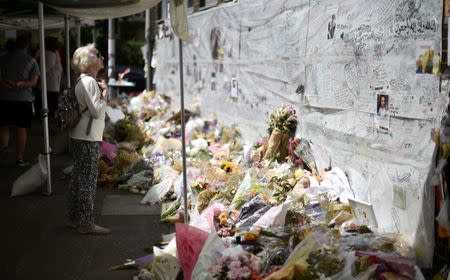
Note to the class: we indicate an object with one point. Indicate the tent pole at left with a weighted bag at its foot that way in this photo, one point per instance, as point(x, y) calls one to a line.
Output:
point(44, 97)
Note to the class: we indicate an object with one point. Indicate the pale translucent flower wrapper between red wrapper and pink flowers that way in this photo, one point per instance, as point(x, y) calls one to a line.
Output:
point(212, 250)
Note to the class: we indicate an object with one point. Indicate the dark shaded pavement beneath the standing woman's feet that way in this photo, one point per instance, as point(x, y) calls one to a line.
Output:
point(35, 244)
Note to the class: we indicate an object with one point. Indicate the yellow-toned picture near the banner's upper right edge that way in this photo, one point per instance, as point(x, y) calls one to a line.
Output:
point(428, 59)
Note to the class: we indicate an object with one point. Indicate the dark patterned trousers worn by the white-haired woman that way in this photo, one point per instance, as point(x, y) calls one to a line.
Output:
point(83, 185)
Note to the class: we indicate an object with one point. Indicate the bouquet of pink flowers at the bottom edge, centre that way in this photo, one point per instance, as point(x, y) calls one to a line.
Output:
point(242, 266)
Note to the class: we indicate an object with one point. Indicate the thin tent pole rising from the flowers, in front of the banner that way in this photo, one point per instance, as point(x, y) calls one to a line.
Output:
point(183, 137)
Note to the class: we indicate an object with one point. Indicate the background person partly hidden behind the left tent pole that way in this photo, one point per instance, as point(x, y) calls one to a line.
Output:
point(53, 70)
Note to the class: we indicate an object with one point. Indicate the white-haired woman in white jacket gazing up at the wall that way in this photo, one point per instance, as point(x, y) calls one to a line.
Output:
point(85, 138)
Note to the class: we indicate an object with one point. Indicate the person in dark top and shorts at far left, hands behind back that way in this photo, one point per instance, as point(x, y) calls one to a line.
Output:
point(19, 72)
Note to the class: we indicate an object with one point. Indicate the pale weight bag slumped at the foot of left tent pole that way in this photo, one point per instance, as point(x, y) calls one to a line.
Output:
point(32, 179)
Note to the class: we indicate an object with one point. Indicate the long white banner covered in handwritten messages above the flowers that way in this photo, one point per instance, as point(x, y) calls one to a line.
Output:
point(362, 74)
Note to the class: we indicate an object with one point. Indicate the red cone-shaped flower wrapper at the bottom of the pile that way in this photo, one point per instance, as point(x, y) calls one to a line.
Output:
point(190, 241)
